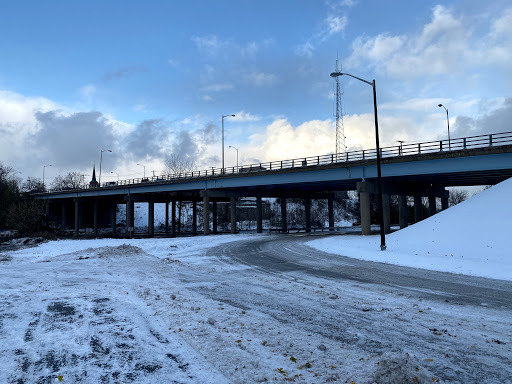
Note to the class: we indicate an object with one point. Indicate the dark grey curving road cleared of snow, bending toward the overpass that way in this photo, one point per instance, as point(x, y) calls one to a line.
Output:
point(288, 254)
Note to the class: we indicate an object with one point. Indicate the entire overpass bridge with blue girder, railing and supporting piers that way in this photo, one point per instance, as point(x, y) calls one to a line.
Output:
point(419, 170)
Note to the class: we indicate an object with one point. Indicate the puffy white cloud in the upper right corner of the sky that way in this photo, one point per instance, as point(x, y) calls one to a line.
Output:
point(445, 45)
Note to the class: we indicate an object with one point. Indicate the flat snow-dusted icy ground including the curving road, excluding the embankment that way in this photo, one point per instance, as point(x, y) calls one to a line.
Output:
point(241, 309)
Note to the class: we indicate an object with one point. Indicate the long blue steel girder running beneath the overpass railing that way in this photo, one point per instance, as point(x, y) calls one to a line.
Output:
point(466, 167)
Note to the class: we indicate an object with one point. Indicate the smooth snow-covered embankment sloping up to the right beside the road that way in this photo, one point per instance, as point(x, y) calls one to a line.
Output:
point(471, 238)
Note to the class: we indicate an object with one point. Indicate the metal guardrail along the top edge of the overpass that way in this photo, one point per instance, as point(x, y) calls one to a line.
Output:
point(403, 150)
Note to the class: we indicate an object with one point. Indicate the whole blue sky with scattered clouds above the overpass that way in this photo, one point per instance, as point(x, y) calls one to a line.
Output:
point(148, 79)
